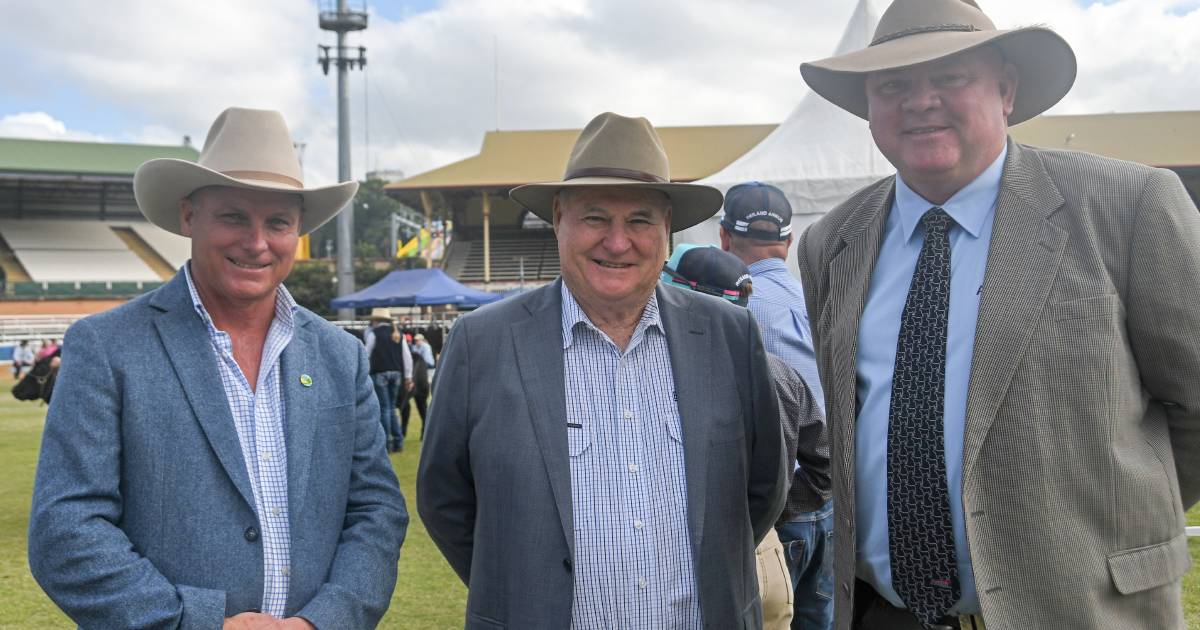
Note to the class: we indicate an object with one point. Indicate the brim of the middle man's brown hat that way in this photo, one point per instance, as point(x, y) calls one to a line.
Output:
point(691, 203)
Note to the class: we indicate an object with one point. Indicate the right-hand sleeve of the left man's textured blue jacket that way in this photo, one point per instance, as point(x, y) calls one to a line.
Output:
point(363, 575)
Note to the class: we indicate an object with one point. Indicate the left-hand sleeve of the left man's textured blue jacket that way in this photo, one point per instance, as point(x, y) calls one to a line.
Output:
point(77, 550)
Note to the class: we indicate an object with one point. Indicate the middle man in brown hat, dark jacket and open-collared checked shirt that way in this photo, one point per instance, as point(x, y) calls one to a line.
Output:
point(605, 452)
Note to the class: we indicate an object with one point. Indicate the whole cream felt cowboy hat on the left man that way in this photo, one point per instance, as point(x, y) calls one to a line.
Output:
point(245, 149)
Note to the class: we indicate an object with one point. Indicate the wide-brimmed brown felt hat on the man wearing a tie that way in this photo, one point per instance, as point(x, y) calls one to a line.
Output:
point(917, 32)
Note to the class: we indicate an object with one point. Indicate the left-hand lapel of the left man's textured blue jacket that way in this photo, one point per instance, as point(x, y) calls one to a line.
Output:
point(190, 352)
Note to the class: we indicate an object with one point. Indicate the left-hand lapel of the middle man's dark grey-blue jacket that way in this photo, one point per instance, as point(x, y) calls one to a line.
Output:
point(538, 345)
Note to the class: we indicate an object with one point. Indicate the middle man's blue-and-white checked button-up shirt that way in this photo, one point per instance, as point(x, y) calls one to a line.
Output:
point(629, 490)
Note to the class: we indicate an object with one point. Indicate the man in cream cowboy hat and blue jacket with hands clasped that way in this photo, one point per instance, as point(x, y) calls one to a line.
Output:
point(213, 457)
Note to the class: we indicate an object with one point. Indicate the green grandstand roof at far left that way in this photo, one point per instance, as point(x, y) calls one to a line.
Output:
point(20, 155)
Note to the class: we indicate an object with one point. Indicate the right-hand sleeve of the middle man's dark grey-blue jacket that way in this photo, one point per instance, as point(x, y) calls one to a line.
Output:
point(769, 467)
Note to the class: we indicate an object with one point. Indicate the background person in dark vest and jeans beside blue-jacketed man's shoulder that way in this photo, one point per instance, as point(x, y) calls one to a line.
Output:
point(392, 373)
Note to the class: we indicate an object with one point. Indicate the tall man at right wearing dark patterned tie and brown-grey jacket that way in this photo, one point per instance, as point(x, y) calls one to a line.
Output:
point(1006, 337)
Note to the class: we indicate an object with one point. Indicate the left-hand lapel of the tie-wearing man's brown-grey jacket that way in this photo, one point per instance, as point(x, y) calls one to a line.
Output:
point(850, 279)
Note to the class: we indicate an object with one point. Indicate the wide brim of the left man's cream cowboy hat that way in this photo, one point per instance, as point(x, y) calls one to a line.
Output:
point(160, 184)
